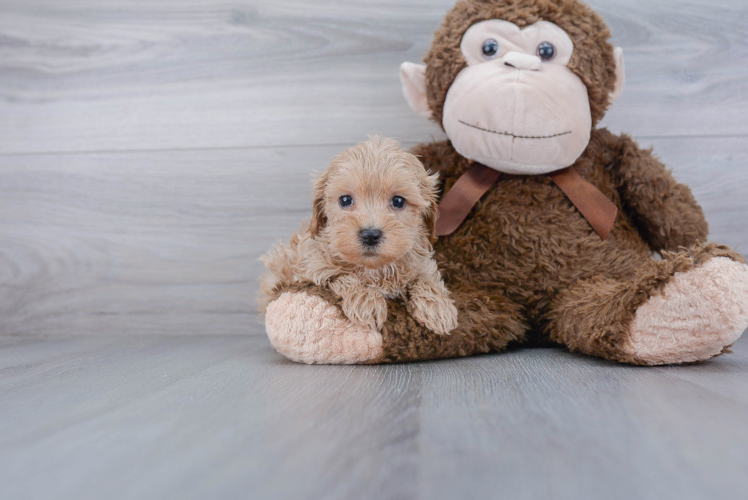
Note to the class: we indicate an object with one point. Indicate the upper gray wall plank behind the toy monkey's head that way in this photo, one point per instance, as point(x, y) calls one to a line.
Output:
point(123, 75)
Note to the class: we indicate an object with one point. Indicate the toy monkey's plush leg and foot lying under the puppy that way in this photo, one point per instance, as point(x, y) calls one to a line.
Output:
point(306, 325)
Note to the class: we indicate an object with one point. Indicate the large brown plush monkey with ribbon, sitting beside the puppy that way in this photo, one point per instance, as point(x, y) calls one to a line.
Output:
point(548, 224)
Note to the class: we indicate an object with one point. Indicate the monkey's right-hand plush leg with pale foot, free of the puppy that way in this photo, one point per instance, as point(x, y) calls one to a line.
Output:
point(688, 307)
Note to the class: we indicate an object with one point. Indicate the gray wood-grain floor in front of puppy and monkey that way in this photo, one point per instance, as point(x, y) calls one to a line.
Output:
point(226, 417)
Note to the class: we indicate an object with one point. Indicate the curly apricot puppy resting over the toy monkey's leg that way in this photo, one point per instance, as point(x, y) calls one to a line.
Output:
point(373, 223)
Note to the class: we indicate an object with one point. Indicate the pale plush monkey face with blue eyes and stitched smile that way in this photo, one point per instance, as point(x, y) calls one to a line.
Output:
point(516, 107)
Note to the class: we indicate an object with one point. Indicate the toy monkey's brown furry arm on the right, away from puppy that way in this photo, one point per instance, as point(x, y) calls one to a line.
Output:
point(665, 211)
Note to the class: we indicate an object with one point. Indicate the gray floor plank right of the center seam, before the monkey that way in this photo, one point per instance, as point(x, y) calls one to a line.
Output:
point(556, 425)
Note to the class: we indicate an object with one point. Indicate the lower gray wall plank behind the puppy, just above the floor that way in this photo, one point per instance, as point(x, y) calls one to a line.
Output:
point(167, 242)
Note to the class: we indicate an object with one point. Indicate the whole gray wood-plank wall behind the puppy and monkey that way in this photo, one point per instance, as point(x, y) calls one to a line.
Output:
point(150, 152)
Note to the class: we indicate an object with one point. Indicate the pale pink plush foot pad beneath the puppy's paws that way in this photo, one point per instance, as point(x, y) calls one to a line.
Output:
point(307, 329)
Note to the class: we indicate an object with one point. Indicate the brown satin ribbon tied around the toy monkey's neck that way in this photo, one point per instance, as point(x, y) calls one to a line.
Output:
point(455, 206)
